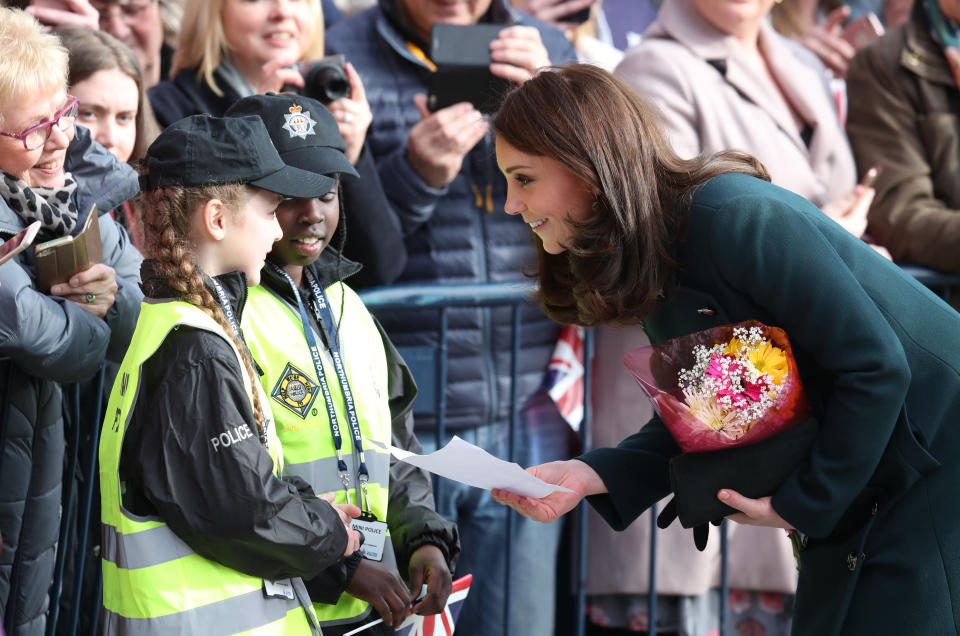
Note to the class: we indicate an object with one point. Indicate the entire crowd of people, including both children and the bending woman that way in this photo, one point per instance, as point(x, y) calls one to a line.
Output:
point(649, 157)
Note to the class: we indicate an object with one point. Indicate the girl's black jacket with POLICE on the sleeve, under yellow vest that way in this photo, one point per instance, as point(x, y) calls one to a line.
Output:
point(225, 504)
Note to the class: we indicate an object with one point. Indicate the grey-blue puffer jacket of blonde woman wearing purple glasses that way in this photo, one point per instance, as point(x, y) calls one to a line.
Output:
point(44, 341)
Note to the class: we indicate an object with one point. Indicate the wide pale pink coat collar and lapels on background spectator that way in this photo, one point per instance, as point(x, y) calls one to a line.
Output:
point(679, 20)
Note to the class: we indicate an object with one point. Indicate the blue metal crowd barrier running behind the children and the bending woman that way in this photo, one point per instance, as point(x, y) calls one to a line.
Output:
point(441, 298)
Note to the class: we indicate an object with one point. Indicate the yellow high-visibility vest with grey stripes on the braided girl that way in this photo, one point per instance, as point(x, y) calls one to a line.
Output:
point(153, 582)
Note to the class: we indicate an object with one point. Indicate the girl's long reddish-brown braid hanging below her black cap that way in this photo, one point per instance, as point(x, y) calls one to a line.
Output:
point(168, 213)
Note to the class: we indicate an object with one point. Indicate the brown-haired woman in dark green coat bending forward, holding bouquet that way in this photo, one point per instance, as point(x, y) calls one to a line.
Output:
point(628, 233)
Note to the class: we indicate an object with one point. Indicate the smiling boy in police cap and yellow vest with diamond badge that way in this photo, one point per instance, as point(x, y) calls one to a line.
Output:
point(300, 323)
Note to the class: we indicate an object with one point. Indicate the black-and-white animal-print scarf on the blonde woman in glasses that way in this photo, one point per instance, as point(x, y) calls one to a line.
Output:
point(55, 208)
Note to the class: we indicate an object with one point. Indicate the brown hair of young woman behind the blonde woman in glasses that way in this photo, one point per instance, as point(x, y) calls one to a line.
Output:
point(92, 51)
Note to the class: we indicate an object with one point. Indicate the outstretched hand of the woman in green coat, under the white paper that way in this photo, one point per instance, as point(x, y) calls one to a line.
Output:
point(572, 474)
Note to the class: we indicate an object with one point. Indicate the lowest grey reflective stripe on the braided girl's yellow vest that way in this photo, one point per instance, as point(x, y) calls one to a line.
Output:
point(229, 616)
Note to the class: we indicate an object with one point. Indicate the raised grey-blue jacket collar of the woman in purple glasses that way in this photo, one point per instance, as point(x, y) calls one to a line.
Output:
point(101, 179)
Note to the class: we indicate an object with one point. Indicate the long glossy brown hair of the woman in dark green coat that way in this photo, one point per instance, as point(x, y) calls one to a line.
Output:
point(604, 133)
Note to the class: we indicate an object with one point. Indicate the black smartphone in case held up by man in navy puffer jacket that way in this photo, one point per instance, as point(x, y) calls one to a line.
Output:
point(462, 56)
